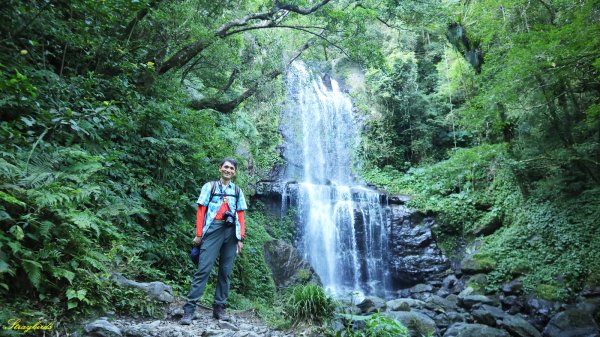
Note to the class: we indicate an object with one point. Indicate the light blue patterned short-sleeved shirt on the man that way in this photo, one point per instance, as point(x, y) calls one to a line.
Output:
point(213, 206)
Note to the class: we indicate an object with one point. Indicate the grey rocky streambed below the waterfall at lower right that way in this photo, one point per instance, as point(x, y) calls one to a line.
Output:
point(452, 310)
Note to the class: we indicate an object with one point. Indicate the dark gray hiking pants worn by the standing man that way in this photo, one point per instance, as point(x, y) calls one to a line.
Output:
point(219, 241)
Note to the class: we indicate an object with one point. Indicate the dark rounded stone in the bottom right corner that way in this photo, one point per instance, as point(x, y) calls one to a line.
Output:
point(572, 323)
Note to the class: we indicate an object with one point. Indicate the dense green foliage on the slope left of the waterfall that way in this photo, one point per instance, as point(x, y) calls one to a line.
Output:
point(103, 157)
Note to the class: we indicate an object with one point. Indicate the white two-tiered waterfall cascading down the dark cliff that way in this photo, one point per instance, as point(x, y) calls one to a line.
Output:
point(343, 225)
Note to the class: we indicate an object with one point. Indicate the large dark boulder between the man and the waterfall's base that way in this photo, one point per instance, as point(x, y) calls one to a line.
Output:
point(287, 266)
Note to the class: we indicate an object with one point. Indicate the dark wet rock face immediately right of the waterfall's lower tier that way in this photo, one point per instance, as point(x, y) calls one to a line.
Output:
point(414, 254)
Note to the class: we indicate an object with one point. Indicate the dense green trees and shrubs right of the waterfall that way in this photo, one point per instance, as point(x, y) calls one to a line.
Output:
point(504, 143)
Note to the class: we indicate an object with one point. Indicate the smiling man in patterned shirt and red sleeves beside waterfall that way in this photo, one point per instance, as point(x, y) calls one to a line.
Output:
point(220, 233)
